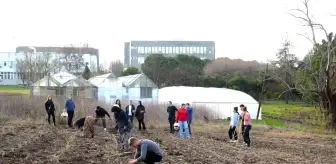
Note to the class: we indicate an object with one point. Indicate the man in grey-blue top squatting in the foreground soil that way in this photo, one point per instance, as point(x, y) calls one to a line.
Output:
point(147, 151)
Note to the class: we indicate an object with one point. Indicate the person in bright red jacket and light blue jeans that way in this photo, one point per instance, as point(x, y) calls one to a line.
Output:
point(182, 119)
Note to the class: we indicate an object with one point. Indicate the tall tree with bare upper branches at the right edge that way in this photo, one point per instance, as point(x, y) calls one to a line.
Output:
point(324, 80)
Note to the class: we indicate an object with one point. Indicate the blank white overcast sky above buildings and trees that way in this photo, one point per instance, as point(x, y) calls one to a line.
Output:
point(242, 29)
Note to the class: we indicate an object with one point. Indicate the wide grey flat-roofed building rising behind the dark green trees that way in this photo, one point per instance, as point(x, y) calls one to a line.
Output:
point(135, 52)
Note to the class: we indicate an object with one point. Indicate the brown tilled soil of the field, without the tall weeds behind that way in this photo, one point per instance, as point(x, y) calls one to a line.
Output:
point(41, 143)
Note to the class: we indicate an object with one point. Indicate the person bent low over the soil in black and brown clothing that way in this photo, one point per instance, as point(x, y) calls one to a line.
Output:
point(88, 125)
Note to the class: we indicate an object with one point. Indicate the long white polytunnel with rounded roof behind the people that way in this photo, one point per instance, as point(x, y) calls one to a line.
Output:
point(219, 101)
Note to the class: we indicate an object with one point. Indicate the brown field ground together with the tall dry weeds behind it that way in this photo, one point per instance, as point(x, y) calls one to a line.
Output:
point(26, 138)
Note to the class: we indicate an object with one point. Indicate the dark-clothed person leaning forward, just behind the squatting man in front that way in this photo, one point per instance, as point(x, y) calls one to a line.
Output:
point(124, 125)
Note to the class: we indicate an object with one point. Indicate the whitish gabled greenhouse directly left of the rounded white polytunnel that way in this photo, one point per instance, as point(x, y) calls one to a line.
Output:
point(133, 87)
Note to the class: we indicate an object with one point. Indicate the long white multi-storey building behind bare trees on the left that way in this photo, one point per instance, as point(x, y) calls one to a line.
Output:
point(67, 56)
